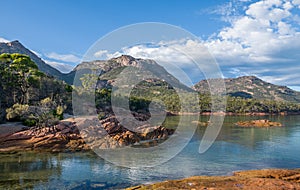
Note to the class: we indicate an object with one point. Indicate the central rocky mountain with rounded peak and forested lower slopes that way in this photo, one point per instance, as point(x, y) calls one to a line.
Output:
point(146, 80)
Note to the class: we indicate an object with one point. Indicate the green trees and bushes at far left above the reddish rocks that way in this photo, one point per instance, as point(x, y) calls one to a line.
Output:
point(29, 95)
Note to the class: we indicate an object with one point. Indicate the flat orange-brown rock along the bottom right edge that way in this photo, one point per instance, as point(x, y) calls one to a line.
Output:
point(274, 179)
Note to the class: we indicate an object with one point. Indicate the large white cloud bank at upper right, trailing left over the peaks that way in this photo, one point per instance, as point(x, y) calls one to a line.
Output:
point(262, 39)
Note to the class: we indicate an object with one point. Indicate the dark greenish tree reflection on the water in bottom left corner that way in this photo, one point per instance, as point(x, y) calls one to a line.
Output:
point(26, 170)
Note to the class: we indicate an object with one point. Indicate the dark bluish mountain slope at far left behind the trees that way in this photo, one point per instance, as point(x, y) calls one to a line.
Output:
point(17, 47)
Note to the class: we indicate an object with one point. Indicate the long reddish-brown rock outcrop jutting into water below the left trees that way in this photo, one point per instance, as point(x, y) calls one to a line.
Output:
point(66, 136)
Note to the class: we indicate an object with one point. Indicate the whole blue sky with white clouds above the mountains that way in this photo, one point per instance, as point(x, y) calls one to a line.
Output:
point(259, 37)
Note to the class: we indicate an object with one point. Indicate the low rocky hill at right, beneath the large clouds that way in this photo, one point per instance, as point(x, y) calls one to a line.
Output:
point(253, 87)
